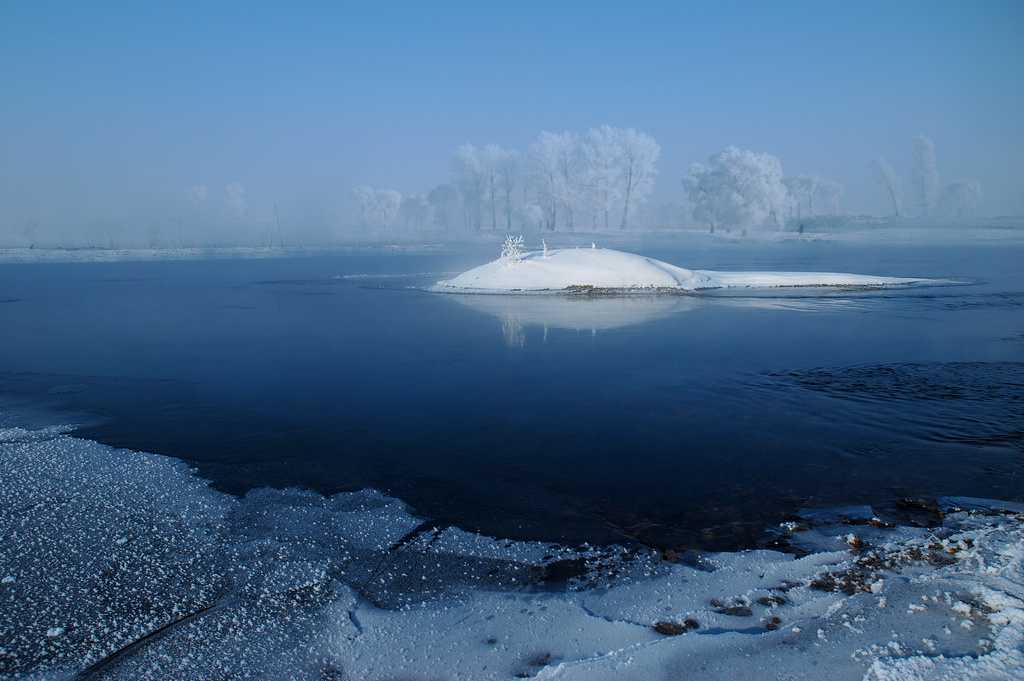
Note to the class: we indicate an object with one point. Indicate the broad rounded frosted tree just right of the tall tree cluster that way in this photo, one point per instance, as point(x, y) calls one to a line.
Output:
point(740, 189)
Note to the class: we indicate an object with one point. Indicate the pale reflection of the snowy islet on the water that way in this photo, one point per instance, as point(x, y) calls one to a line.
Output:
point(579, 313)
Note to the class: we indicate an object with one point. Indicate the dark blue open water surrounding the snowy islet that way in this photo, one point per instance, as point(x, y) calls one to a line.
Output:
point(682, 421)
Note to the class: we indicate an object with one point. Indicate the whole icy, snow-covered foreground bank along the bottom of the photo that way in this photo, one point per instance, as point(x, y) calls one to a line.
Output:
point(123, 565)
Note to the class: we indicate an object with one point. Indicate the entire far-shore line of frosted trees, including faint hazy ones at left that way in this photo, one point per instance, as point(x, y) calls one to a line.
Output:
point(565, 182)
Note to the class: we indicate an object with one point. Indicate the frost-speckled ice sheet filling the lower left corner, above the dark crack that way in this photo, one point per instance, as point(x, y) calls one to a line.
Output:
point(102, 545)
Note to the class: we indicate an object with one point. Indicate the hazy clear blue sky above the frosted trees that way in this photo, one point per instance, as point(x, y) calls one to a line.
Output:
point(119, 109)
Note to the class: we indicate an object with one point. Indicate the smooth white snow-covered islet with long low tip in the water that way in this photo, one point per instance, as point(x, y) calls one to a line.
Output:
point(569, 270)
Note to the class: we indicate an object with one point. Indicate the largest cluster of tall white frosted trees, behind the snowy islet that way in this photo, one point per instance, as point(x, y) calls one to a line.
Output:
point(600, 179)
